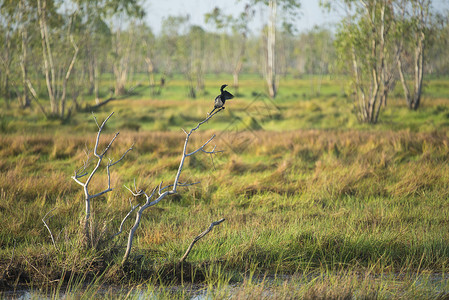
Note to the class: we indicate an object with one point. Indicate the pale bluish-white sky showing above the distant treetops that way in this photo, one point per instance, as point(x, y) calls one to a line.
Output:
point(310, 12)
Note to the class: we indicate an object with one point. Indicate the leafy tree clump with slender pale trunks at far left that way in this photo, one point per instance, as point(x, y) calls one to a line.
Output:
point(70, 30)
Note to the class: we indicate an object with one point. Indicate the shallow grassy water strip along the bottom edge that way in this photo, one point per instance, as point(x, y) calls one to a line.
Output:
point(406, 286)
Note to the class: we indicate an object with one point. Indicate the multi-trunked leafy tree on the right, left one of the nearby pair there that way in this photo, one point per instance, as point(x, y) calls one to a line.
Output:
point(365, 43)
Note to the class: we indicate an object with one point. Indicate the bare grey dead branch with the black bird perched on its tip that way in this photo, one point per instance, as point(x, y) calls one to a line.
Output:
point(152, 199)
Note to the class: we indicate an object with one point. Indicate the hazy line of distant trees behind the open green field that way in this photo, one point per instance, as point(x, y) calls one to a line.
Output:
point(72, 44)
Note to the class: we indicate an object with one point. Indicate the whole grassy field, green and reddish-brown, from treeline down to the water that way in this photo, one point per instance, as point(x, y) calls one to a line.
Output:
point(316, 204)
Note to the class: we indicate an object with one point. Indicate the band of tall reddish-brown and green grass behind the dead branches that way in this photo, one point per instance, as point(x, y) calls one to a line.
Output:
point(295, 200)
